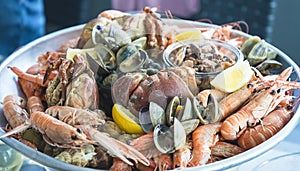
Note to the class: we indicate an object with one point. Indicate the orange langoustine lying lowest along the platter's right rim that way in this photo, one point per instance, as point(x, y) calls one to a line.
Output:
point(271, 124)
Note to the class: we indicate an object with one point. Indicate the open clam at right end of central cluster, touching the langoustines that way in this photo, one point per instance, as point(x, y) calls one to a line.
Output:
point(208, 114)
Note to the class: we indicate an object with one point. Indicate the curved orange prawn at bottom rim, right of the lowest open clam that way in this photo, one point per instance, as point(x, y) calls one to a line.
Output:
point(204, 137)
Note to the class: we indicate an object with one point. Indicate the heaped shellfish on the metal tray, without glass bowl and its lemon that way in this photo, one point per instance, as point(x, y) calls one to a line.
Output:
point(69, 96)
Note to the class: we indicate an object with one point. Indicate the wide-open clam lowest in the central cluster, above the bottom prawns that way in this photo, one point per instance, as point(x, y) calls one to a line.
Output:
point(168, 139)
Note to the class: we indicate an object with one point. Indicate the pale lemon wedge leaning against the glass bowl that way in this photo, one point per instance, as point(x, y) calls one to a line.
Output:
point(233, 78)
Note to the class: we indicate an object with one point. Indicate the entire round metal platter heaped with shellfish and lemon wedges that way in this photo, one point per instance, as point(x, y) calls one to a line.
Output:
point(146, 91)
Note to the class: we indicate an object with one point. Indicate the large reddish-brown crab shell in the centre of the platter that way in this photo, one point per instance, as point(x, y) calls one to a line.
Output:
point(133, 90)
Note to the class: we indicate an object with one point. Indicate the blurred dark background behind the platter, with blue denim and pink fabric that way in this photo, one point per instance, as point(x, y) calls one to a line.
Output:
point(273, 20)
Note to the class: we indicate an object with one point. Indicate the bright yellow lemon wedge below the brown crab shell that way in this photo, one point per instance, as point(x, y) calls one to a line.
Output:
point(126, 120)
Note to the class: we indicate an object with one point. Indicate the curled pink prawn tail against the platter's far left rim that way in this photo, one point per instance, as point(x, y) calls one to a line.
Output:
point(14, 110)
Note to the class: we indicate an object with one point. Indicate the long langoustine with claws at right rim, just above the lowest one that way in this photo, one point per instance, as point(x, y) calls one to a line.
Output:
point(259, 106)
